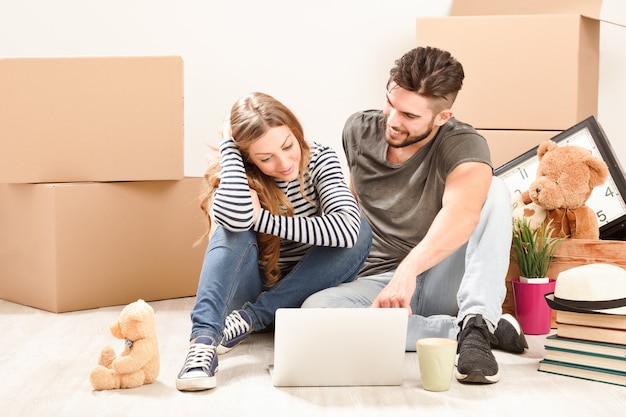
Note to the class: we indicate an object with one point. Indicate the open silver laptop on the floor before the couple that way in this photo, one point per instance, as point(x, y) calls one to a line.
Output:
point(339, 346)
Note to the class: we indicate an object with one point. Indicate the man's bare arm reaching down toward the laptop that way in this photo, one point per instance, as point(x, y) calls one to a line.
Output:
point(465, 192)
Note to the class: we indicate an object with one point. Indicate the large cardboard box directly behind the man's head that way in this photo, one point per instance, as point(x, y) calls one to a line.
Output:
point(535, 72)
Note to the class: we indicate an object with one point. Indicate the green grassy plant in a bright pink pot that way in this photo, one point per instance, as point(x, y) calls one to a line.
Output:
point(532, 250)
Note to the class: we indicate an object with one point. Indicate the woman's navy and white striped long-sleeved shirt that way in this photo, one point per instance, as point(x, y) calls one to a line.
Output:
point(334, 221)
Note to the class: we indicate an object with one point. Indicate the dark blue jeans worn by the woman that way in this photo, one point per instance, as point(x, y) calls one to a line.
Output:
point(230, 279)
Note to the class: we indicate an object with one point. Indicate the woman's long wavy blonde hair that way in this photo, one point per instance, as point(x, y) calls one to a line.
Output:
point(250, 118)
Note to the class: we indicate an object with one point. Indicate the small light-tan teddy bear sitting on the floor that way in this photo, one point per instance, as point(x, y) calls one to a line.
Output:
point(139, 363)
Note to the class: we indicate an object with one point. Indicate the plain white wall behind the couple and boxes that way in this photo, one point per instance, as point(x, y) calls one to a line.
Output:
point(325, 59)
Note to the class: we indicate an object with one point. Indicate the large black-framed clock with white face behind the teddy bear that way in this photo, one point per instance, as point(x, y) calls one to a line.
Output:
point(607, 200)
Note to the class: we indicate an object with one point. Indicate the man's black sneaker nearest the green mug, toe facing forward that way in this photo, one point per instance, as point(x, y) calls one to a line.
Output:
point(475, 362)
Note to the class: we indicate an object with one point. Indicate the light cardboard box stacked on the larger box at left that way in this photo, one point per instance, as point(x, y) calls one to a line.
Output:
point(91, 119)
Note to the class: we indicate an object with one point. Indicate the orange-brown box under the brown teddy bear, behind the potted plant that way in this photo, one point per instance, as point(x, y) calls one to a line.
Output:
point(571, 253)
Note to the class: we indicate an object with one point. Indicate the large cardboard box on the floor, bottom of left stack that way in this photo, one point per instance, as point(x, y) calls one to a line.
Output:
point(75, 246)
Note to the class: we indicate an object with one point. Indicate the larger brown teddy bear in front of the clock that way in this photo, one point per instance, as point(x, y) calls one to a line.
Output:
point(565, 178)
